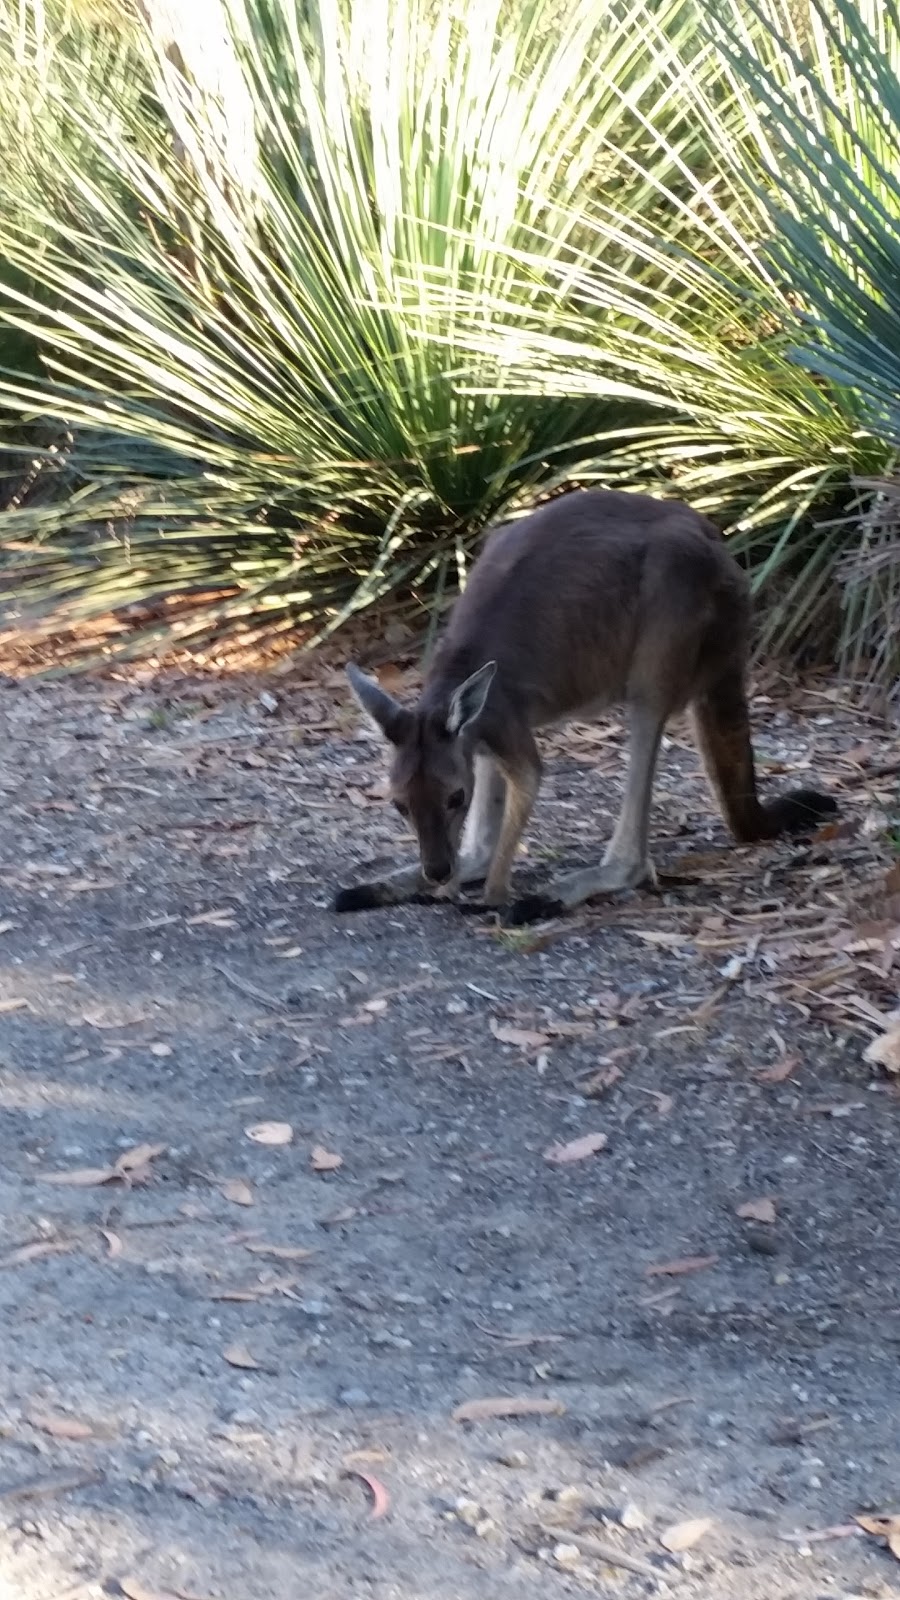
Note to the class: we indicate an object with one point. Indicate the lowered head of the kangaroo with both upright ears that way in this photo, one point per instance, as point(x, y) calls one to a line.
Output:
point(432, 769)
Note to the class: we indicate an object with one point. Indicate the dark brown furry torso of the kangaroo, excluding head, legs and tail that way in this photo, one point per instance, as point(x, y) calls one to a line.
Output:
point(590, 598)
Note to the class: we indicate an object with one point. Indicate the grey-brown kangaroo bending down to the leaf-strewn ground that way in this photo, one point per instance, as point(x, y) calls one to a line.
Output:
point(597, 599)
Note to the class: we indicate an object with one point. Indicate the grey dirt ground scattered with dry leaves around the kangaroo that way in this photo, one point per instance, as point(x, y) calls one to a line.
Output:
point(231, 1367)
